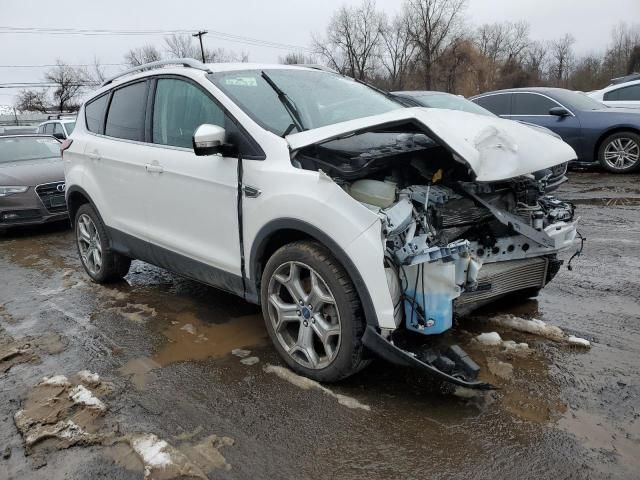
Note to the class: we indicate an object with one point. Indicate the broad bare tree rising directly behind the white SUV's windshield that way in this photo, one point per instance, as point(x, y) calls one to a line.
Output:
point(352, 39)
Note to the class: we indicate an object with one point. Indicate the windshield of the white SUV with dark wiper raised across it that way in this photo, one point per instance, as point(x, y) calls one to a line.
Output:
point(320, 98)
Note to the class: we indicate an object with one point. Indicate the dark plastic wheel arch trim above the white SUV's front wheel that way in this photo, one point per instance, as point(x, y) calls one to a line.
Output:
point(278, 233)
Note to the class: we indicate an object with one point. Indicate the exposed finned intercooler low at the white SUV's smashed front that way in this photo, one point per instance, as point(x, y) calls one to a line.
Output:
point(500, 278)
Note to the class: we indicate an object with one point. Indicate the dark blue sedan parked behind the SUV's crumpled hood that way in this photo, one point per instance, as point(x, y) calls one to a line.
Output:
point(610, 136)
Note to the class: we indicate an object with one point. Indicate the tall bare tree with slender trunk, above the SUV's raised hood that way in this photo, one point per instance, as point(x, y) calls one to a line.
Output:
point(434, 24)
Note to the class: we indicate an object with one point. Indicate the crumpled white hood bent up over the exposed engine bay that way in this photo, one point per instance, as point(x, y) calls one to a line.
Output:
point(494, 148)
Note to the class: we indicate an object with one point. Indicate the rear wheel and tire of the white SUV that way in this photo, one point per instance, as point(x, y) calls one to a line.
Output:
point(101, 263)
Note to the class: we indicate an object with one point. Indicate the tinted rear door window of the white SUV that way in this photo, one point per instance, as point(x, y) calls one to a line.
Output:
point(126, 113)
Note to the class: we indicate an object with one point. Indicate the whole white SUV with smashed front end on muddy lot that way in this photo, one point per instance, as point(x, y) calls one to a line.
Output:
point(354, 222)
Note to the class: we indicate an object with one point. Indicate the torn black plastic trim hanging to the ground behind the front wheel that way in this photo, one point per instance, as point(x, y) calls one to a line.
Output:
point(453, 366)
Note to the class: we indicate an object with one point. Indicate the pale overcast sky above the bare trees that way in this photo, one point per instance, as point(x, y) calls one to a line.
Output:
point(288, 22)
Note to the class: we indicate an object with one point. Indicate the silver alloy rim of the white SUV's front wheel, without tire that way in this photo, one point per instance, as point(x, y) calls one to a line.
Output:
point(304, 315)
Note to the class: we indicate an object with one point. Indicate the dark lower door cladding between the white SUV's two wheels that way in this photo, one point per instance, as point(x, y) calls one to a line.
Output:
point(147, 252)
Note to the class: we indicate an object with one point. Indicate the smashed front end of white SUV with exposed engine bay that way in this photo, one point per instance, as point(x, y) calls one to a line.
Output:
point(452, 242)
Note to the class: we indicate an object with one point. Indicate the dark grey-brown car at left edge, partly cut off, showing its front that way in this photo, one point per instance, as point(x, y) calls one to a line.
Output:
point(32, 183)
